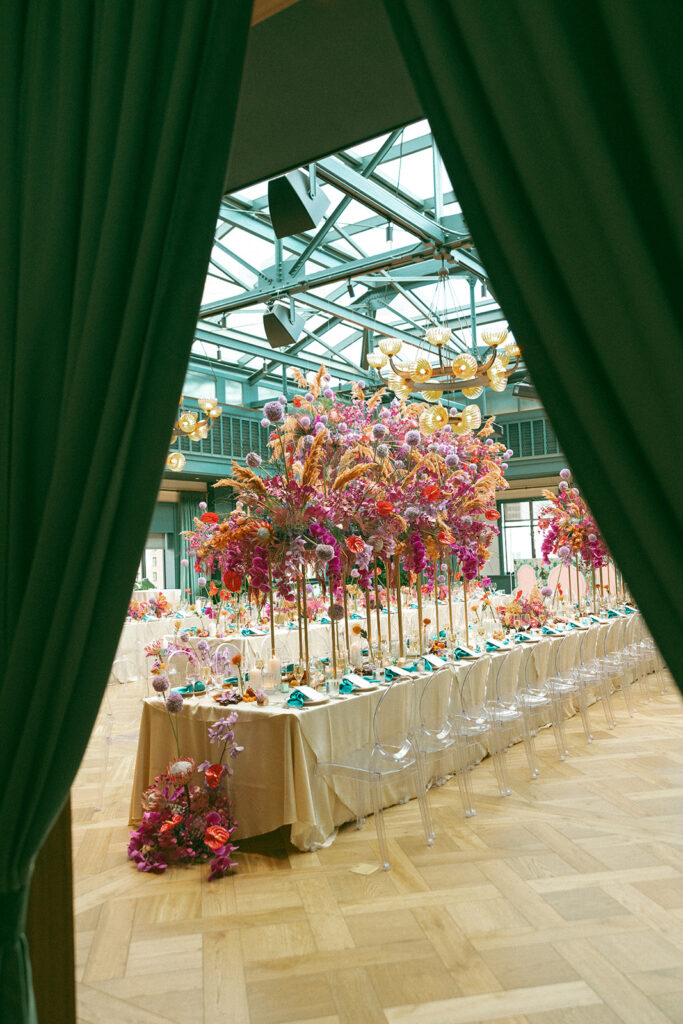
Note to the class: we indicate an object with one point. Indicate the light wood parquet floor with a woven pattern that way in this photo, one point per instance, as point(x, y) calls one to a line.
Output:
point(563, 904)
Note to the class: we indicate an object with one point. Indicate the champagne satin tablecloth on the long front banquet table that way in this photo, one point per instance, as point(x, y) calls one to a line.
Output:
point(275, 783)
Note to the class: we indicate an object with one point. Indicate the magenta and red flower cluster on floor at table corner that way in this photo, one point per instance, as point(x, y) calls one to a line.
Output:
point(186, 823)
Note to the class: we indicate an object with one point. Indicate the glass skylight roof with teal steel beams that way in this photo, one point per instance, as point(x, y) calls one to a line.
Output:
point(409, 216)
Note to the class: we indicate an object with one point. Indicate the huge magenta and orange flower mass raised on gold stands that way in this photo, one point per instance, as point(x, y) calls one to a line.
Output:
point(356, 486)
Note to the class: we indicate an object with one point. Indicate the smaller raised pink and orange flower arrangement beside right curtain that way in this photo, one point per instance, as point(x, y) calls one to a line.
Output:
point(570, 530)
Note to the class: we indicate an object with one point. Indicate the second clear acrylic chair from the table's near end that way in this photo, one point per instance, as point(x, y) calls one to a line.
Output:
point(438, 737)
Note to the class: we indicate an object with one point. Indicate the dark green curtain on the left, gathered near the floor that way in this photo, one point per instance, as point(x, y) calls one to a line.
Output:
point(115, 130)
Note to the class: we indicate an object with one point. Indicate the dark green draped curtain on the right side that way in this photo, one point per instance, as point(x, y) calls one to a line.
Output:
point(561, 126)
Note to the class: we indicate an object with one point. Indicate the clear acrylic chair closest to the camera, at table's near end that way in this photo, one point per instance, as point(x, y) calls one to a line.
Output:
point(393, 756)
